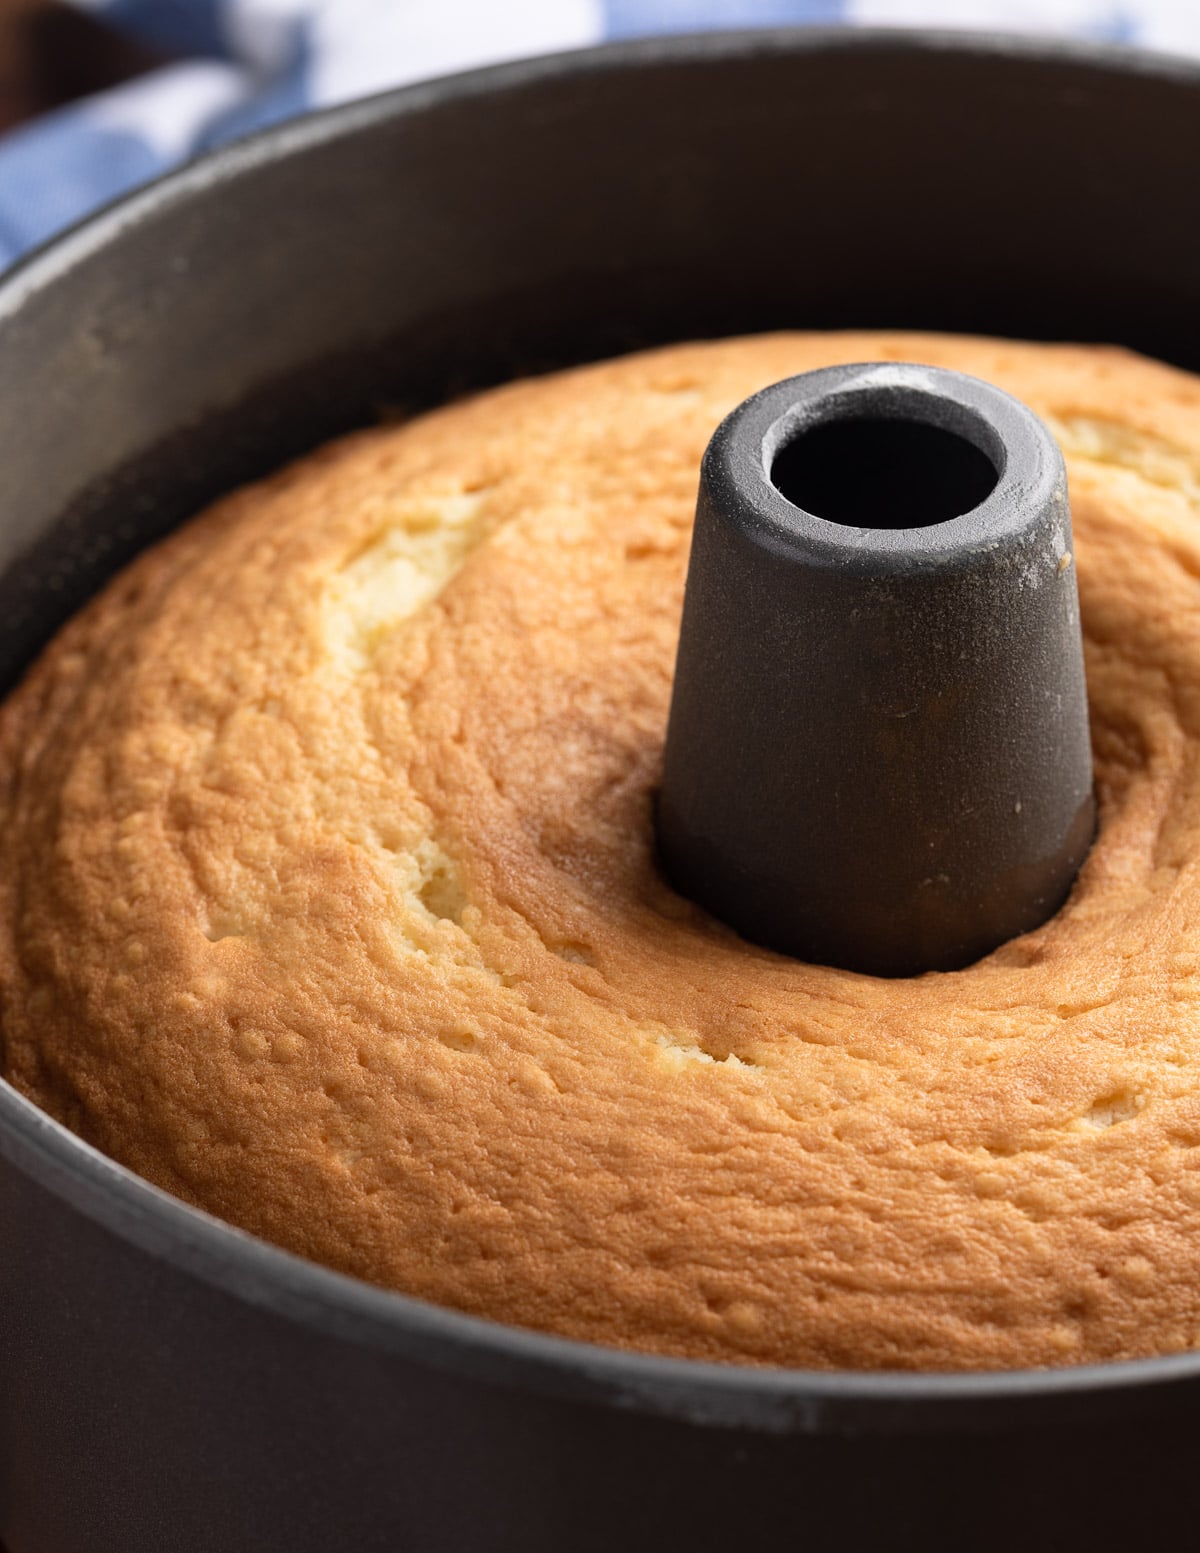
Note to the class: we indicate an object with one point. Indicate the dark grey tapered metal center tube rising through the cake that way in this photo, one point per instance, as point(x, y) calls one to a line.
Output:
point(878, 754)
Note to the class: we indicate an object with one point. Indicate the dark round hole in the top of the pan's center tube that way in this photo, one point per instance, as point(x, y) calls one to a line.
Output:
point(883, 473)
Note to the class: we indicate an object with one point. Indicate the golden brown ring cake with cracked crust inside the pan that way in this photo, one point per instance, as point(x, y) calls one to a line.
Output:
point(328, 903)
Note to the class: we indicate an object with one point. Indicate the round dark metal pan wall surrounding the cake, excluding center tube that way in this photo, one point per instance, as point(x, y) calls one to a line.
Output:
point(172, 1386)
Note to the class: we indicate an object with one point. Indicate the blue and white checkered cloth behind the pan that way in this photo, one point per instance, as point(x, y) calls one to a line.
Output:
point(243, 64)
